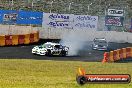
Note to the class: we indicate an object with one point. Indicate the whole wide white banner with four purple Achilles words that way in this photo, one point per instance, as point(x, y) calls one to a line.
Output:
point(69, 21)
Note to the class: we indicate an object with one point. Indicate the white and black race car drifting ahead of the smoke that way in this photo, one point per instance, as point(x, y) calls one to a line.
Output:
point(50, 49)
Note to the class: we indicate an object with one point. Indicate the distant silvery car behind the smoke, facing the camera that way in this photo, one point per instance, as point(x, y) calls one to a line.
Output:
point(100, 44)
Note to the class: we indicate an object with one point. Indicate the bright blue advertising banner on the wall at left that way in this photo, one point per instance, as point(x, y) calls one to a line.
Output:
point(20, 17)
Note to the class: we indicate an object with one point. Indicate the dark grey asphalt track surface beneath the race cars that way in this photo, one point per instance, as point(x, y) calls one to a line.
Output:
point(24, 52)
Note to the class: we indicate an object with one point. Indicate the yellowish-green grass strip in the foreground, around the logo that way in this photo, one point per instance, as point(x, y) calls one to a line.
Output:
point(56, 74)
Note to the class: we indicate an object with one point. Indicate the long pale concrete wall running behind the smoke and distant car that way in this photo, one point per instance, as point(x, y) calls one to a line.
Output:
point(111, 36)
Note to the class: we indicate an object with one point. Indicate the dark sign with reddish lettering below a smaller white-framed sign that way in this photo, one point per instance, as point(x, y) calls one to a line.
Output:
point(114, 21)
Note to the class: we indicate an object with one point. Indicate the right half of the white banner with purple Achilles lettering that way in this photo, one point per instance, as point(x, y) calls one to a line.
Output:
point(85, 22)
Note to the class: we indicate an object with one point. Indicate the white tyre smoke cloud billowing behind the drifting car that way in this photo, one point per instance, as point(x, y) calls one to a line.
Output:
point(76, 40)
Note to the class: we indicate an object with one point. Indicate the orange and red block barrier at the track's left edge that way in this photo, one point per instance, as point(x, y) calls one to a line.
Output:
point(19, 39)
